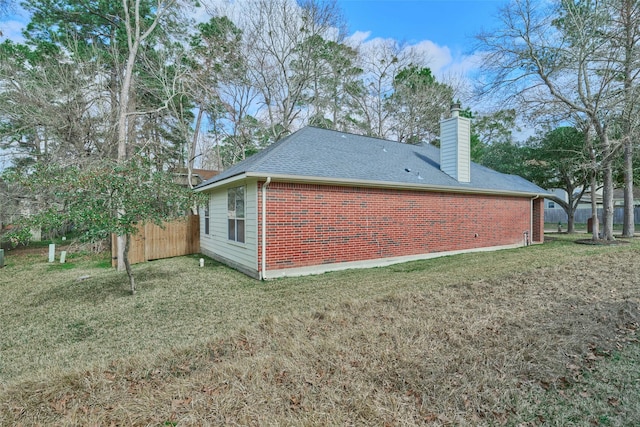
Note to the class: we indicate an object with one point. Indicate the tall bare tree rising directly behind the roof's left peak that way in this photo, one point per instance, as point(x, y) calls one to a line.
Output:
point(280, 58)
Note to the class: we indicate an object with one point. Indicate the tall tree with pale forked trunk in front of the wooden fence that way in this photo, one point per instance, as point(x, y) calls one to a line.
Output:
point(123, 37)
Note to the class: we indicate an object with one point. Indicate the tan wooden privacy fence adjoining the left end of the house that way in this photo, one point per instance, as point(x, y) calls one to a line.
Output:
point(175, 238)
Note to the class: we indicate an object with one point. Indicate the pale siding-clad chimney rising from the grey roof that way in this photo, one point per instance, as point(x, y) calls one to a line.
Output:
point(455, 146)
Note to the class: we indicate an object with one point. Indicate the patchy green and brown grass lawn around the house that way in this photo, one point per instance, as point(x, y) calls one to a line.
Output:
point(543, 335)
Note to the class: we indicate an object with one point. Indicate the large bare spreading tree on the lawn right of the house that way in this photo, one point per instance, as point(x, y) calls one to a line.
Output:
point(553, 60)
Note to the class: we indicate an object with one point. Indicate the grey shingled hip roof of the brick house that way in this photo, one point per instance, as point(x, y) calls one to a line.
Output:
point(321, 155)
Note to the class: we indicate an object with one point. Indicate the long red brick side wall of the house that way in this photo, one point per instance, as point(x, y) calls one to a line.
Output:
point(315, 224)
